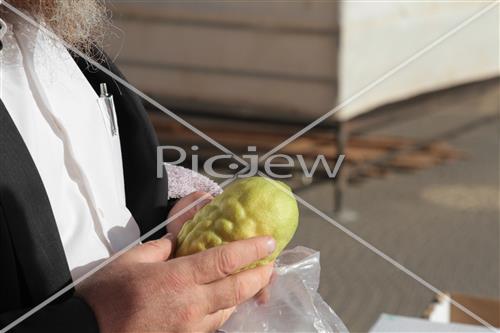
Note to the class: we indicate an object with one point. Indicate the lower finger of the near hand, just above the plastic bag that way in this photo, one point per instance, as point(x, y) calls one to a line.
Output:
point(237, 288)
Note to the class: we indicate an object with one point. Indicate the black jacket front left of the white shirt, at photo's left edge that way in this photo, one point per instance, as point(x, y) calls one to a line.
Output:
point(29, 216)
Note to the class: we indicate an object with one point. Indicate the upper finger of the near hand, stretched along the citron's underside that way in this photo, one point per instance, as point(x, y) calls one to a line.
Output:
point(220, 261)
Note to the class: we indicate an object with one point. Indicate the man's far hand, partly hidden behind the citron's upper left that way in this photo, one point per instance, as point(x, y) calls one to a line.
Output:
point(174, 226)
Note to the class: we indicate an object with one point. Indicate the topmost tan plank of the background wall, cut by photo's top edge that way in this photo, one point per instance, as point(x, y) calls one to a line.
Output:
point(310, 15)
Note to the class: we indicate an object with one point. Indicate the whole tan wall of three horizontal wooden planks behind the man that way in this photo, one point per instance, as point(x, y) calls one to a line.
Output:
point(273, 58)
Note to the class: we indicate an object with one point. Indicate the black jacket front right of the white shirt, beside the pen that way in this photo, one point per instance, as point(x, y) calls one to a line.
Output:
point(146, 195)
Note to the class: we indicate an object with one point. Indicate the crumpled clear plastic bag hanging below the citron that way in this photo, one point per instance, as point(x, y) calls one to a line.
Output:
point(293, 305)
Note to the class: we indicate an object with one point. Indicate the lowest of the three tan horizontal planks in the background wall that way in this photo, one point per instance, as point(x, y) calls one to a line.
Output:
point(272, 97)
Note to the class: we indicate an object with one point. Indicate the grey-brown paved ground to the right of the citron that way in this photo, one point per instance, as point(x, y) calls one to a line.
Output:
point(442, 223)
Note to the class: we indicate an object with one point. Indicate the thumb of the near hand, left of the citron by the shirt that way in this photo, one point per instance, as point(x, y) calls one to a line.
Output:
point(153, 251)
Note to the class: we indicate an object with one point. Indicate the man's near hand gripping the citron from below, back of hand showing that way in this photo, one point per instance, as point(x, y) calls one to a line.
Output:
point(140, 292)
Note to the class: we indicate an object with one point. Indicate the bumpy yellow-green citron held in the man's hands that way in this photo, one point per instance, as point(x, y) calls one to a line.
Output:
point(249, 207)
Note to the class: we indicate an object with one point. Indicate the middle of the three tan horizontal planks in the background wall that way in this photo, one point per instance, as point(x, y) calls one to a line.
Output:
point(234, 52)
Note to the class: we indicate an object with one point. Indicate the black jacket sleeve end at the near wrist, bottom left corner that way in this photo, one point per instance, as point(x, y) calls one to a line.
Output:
point(71, 315)
